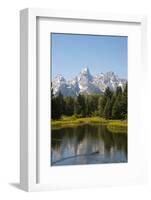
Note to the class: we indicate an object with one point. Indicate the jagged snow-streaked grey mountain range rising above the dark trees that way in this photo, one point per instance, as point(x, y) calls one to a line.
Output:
point(85, 83)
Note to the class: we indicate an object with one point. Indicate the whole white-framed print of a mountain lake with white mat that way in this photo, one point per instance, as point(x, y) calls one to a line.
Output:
point(81, 79)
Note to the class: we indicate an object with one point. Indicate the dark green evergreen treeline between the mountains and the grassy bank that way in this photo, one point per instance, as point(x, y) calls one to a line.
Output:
point(110, 105)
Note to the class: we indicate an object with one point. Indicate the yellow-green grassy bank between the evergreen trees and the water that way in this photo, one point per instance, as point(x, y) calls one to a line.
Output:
point(112, 125)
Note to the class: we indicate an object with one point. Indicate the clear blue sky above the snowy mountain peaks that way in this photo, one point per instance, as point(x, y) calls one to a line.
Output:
point(73, 52)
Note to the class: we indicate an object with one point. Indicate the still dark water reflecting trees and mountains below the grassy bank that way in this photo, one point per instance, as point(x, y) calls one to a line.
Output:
point(87, 144)
